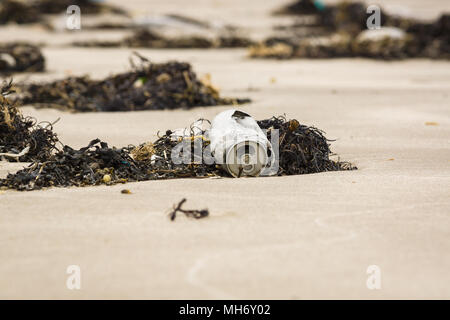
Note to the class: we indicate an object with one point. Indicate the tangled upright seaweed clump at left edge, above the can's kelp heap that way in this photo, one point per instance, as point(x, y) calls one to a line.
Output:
point(22, 138)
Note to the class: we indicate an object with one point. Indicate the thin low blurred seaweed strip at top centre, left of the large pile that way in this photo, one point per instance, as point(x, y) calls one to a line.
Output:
point(145, 38)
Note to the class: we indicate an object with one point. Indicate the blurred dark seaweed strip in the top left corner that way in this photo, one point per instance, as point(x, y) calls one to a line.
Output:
point(32, 11)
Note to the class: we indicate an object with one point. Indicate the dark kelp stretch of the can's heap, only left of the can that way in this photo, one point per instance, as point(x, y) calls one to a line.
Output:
point(96, 164)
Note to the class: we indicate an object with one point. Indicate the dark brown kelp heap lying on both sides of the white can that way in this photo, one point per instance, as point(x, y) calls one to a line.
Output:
point(302, 150)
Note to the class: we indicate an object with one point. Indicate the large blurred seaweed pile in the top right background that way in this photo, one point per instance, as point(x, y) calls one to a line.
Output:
point(340, 30)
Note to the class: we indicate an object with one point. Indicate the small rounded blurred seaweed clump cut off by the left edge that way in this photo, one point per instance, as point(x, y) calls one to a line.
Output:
point(20, 57)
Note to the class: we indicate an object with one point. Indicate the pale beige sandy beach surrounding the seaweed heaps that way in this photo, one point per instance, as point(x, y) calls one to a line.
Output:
point(293, 237)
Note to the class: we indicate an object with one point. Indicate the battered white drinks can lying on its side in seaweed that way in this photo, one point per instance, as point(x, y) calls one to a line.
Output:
point(238, 144)
